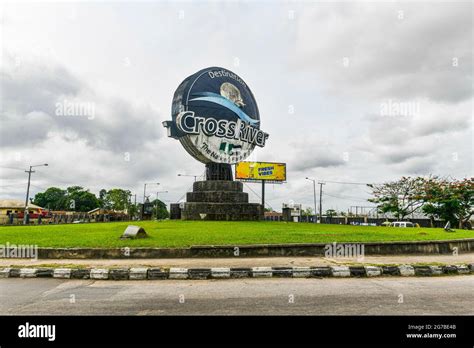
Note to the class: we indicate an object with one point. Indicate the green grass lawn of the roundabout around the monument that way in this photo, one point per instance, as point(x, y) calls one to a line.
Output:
point(187, 233)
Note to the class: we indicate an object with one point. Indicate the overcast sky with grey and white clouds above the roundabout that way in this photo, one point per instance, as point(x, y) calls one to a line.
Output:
point(349, 92)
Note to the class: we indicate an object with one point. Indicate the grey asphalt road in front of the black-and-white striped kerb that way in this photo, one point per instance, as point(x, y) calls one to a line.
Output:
point(384, 296)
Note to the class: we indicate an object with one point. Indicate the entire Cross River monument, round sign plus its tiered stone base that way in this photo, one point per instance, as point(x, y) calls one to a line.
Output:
point(215, 117)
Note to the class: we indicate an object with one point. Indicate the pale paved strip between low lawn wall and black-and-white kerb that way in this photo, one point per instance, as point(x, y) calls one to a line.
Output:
point(243, 262)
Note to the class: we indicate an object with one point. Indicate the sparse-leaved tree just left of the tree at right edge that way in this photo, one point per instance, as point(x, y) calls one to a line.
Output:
point(402, 197)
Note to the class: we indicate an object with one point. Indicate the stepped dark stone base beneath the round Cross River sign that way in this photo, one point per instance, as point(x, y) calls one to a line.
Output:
point(219, 200)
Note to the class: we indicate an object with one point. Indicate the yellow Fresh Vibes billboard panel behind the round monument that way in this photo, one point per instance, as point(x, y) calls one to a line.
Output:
point(260, 171)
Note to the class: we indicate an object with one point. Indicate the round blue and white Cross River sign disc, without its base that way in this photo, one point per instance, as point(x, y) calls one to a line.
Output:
point(215, 117)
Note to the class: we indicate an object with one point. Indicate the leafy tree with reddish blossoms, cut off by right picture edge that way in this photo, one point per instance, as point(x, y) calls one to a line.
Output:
point(451, 201)
